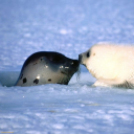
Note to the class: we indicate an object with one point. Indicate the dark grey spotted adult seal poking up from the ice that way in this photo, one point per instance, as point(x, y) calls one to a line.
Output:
point(47, 67)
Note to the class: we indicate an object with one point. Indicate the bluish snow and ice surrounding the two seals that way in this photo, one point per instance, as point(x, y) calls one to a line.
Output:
point(69, 27)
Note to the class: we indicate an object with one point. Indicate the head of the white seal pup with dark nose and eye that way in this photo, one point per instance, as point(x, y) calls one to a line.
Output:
point(95, 59)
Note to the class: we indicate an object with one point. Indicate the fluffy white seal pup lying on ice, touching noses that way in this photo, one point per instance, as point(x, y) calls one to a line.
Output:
point(112, 65)
